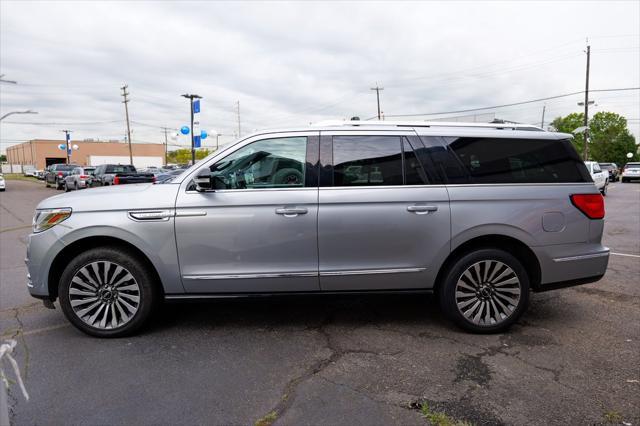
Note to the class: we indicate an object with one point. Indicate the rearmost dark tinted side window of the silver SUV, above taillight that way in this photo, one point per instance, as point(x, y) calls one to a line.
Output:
point(498, 160)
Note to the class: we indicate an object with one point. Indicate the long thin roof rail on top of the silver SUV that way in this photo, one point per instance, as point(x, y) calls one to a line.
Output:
point(377, 123)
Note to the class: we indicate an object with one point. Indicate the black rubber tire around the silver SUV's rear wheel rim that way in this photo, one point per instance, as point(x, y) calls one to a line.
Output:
point(447, 292)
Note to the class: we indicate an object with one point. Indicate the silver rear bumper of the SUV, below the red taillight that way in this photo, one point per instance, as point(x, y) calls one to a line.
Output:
point(565, 266)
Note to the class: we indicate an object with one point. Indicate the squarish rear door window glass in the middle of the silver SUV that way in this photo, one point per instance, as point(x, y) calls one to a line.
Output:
point(367, 160)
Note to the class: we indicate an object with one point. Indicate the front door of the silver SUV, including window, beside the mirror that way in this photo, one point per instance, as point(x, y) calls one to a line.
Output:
point(257, 230)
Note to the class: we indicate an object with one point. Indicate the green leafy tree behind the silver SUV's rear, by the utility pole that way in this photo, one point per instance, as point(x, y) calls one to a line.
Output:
point(610, 139)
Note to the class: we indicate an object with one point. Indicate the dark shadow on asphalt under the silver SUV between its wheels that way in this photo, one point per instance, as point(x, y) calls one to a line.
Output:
point(287, 312)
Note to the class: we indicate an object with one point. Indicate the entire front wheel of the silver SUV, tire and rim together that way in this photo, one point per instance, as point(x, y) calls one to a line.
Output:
point(107, 292)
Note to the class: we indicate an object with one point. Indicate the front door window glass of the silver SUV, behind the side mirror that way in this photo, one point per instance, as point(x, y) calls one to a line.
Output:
point(267, 163)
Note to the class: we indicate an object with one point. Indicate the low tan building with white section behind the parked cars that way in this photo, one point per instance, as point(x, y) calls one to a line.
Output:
point(42, 153)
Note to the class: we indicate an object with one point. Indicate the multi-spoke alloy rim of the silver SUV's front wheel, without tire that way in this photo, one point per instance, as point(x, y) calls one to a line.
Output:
point(104, 295)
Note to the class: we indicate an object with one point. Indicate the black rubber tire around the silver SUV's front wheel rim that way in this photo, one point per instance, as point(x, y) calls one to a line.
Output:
point(148, 292)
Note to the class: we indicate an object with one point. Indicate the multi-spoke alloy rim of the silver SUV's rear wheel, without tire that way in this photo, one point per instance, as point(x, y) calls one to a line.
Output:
point(488, 292)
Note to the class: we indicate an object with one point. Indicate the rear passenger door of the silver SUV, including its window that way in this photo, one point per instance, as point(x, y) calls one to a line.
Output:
point(382, 223)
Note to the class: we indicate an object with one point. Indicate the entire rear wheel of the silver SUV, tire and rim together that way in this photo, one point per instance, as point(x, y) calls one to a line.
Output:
point(485, 291)
